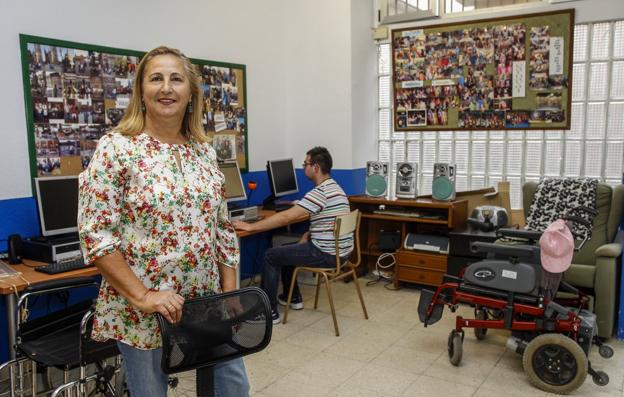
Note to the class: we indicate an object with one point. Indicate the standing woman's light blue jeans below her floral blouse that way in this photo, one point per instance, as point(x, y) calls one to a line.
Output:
point(145, 378)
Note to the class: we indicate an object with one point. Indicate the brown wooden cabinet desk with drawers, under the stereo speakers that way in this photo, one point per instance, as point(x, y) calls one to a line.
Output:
point(408, 216)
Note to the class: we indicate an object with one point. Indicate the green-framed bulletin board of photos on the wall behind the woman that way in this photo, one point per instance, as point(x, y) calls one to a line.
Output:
point(74, 93)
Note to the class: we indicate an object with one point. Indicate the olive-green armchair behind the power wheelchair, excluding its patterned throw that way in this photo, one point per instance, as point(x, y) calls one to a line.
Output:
point(595, 268)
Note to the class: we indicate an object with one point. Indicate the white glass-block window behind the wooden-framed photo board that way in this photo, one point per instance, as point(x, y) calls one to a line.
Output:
point(593, 147)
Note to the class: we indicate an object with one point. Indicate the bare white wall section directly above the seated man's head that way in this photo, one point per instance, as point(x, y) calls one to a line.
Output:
point(318, 77)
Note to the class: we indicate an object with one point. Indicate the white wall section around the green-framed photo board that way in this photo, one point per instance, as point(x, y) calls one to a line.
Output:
point(226, 30)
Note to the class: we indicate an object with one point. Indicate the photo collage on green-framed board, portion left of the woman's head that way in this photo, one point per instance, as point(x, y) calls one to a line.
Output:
point(77, 96)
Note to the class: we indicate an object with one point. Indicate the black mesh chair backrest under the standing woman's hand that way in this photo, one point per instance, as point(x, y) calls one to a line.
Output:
point(216, 328)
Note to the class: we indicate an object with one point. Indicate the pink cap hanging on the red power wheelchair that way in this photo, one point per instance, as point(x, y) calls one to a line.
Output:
point(557, 247)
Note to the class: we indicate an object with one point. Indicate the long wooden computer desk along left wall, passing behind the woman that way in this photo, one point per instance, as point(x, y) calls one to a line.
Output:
point(33, 277)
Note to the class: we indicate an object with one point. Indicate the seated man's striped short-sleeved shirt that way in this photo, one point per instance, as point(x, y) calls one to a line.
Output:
point(324, 203)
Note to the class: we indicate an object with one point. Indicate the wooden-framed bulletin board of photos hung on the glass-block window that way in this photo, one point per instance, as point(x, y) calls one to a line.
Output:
point(503, 73)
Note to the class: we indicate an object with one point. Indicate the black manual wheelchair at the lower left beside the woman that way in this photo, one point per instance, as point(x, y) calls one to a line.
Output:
point(61, 339)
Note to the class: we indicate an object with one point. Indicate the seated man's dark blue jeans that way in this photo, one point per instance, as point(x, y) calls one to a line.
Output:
point(283, 260)
